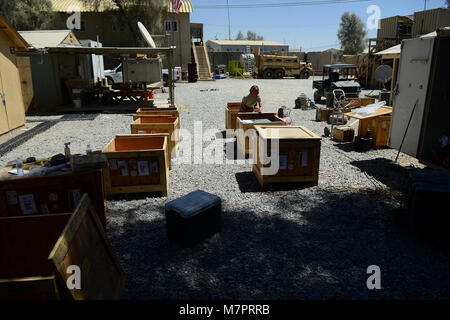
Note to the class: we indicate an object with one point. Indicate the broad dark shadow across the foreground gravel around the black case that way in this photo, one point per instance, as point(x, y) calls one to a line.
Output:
point(301, 248)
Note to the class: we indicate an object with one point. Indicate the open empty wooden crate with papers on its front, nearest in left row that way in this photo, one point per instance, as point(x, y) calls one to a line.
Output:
point(136, 164)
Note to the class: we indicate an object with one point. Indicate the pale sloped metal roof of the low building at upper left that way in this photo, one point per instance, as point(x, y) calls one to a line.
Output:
point(47, 38)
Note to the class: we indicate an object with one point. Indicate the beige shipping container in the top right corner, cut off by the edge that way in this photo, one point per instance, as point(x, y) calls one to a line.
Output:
point(430, 20)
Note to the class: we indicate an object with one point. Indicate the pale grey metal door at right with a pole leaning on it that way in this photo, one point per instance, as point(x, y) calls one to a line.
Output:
point(412, 85)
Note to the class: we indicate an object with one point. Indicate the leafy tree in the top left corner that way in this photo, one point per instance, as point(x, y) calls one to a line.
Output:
point(28, 14)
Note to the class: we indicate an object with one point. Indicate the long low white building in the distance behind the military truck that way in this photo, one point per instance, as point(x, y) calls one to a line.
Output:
point(245, 45)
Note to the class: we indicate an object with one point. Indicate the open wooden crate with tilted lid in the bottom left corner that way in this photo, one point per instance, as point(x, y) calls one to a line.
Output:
point(36, 251)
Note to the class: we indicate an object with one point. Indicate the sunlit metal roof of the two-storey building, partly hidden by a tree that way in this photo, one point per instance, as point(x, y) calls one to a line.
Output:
point(104, 5)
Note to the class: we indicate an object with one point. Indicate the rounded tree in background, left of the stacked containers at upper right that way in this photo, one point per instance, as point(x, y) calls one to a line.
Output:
point(352, 34)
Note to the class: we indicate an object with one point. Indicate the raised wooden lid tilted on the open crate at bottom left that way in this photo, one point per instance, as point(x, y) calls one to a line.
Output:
point(84, 243)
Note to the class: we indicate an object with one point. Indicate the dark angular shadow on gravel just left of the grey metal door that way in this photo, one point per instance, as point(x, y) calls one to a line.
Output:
point(384, 170)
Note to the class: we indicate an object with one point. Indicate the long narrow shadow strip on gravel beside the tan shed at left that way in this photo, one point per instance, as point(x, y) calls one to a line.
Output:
point(40, 128)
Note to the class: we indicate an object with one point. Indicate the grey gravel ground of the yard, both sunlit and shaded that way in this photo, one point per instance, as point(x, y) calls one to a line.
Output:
point(291, 242)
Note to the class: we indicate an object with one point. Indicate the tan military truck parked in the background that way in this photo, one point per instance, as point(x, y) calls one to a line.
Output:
point(277, 66)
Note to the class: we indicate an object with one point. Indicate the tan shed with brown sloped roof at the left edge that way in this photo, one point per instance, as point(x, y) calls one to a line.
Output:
point(12, 107)
